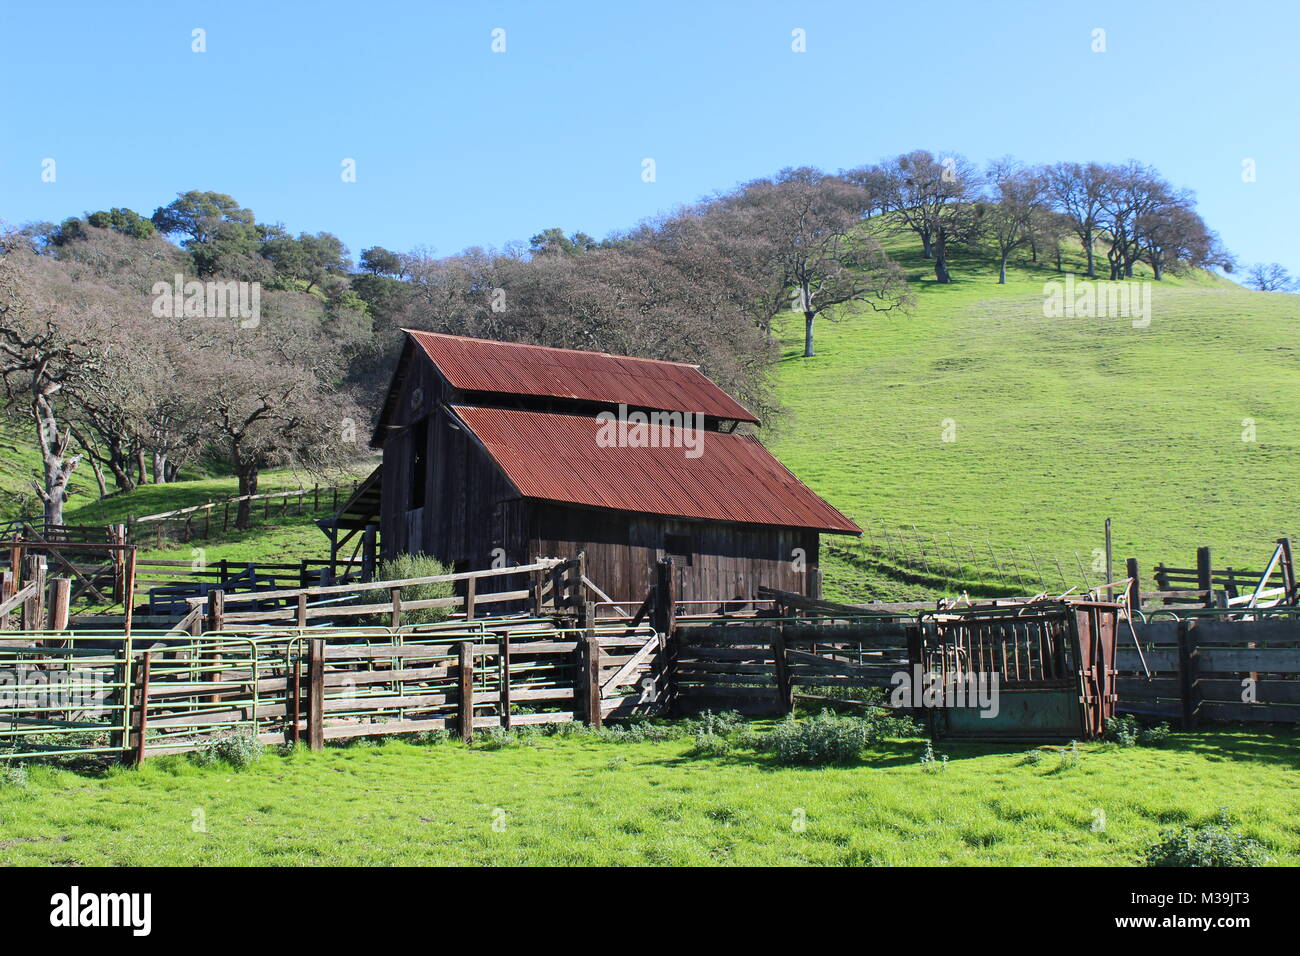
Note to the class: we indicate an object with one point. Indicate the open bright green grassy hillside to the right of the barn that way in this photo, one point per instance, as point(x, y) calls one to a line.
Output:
point(1059, 425)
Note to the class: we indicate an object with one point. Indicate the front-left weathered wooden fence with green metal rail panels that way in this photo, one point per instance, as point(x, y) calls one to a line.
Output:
point(159, 694)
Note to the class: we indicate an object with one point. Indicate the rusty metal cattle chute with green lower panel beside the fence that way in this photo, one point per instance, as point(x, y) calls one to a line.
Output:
point(1047, 667)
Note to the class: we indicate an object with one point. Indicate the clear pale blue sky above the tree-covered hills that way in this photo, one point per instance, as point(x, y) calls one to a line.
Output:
point(460, 146)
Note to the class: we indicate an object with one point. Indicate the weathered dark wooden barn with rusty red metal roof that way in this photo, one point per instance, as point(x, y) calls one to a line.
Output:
point(497, 452)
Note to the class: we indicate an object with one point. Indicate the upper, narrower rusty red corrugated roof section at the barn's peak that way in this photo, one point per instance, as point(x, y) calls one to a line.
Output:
point(480, 365)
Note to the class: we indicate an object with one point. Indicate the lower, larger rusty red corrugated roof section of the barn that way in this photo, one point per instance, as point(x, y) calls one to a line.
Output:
point(734, 479)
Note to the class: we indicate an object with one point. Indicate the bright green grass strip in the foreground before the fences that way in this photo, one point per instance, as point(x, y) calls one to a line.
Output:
point(579, 802)
